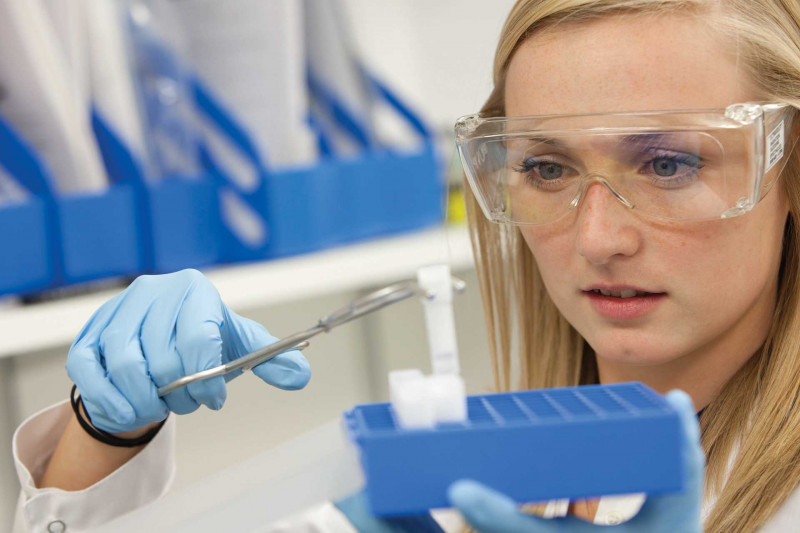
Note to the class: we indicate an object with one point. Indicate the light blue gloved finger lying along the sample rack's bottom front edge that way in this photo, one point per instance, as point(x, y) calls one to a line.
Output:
point(492, 512)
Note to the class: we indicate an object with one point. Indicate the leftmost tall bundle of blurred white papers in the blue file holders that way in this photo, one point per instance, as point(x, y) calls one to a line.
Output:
point(44, 93)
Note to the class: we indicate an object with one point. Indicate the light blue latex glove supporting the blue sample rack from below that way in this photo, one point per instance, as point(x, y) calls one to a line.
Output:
point(491, 512)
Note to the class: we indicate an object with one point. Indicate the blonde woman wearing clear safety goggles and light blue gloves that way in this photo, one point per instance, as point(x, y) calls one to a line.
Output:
point(678, 269)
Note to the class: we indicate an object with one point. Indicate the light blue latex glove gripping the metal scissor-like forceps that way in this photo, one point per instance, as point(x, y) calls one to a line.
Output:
point(157, 330)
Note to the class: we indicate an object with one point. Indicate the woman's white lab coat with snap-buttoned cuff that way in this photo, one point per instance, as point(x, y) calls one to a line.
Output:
point(150, 473)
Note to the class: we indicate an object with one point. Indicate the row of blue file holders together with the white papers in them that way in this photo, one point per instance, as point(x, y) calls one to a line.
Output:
point(199, 118)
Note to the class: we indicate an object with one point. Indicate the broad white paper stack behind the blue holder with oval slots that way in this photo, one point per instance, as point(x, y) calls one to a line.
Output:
point(259, 74)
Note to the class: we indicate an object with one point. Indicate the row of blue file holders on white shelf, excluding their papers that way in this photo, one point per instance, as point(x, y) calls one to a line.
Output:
point(139, 226)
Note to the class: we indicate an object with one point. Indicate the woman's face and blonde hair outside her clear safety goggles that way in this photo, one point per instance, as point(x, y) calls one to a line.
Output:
point(725, 320)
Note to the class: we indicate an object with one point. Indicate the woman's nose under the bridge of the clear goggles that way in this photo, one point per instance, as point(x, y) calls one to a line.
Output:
point(606, 228)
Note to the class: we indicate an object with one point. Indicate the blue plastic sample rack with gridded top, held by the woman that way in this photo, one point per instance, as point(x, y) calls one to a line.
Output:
point(572, 442)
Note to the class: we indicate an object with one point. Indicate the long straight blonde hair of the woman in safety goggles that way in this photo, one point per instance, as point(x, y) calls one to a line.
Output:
point(759, 405)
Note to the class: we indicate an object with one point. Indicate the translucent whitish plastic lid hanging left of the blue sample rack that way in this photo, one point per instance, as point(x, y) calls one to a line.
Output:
point(316, 466)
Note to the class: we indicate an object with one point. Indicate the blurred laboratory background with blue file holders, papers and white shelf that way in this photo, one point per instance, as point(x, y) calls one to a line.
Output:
point(298, 152)
